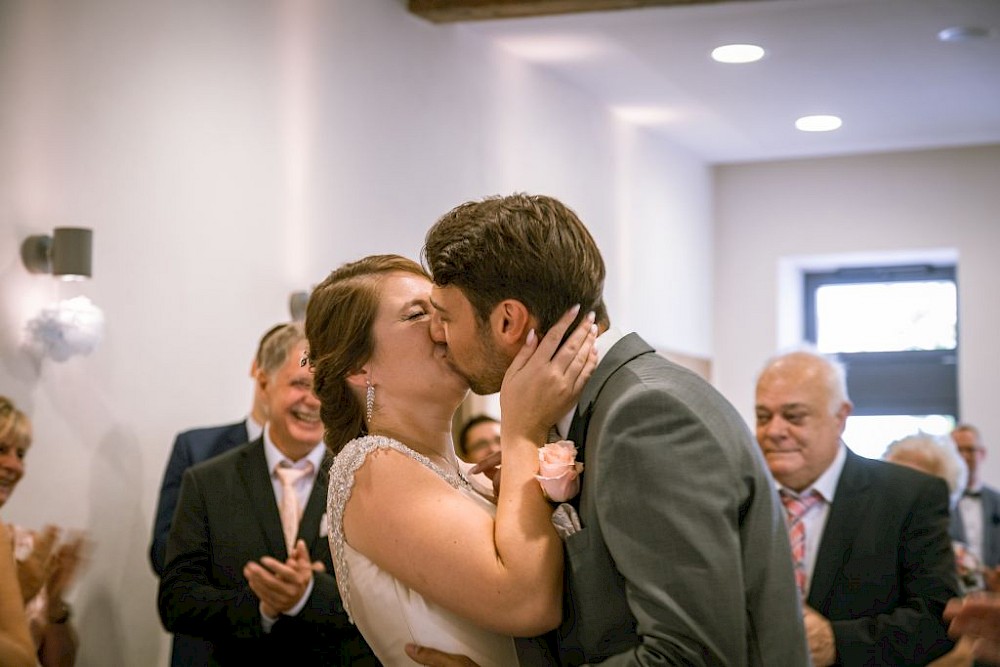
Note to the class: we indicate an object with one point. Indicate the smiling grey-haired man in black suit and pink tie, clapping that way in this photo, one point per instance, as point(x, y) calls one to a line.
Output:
point(282, 608)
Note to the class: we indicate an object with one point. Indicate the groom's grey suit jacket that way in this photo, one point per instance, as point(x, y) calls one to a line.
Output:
point(683, 557)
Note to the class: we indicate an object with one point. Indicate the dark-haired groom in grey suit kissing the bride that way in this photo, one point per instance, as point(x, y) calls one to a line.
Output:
point(683, 555)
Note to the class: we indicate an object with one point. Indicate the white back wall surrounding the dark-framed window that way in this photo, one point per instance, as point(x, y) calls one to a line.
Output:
point(926, 202)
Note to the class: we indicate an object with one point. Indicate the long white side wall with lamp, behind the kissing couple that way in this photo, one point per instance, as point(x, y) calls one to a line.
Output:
point(227, 153)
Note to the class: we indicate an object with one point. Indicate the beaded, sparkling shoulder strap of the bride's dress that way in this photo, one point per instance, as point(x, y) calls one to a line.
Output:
point(345, 465)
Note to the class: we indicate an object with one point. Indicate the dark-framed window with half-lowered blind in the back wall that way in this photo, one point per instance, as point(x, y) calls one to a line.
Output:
point(895, 329)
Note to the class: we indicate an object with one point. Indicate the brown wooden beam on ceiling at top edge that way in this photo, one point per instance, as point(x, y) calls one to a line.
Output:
point(452, 11)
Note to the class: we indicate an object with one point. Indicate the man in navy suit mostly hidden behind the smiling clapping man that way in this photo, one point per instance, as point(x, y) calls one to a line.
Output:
point(191, 447)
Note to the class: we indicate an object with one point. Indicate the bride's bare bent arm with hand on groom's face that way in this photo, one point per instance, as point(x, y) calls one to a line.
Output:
point(503, 574)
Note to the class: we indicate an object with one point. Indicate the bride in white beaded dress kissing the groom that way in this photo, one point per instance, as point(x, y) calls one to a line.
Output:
point(420, 556)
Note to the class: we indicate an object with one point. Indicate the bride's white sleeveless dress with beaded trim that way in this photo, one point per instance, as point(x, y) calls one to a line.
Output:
point(388, 613)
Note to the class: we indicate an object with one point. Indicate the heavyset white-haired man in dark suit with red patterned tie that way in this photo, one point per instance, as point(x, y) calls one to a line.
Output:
point(874, 555)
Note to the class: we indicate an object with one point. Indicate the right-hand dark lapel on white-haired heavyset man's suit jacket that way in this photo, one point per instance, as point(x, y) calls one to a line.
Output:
point(846, 513)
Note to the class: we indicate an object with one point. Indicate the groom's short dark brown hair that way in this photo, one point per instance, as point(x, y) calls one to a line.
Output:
point(531, 248)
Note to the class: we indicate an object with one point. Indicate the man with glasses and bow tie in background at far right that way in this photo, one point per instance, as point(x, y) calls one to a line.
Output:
point(976, 522)
